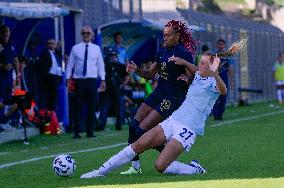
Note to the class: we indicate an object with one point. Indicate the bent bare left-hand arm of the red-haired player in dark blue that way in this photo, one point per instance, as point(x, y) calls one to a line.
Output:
point(147, 74)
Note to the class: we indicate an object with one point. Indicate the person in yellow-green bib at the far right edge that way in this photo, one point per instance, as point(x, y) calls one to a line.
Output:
point(278, 71)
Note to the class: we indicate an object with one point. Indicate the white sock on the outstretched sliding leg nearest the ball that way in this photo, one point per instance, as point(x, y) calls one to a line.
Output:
point(123, 157)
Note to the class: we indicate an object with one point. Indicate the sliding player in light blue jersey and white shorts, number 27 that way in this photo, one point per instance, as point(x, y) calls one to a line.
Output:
point(179, 131)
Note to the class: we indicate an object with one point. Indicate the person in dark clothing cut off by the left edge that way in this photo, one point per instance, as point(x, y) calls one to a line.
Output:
point(8, 63)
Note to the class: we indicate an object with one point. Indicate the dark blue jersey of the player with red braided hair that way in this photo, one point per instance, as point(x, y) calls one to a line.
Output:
point(169, 71)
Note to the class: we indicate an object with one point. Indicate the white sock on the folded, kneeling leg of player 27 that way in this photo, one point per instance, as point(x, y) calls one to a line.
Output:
point(179, 168)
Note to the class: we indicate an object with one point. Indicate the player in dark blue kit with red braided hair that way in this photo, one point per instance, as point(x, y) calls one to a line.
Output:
point(172, 84)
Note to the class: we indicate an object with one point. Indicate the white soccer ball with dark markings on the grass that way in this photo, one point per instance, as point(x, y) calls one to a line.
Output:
point(64, 165)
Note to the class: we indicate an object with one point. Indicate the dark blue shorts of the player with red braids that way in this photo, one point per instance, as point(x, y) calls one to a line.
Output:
point(164, 103)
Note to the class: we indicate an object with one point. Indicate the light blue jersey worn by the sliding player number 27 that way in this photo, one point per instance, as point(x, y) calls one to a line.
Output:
point(200, 99)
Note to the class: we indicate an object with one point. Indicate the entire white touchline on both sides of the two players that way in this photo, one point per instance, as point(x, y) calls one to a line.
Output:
point(120, 144)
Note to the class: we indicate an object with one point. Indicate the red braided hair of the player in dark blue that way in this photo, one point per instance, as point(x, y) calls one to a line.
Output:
point(185, 36)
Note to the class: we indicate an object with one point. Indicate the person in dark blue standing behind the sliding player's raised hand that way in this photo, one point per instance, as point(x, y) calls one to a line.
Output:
point(226, 73)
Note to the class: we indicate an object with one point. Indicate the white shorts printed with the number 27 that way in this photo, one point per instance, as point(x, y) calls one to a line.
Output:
point(173, 129)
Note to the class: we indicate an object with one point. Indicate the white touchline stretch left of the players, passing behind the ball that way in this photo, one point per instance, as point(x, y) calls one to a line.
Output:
point(50, 156)
